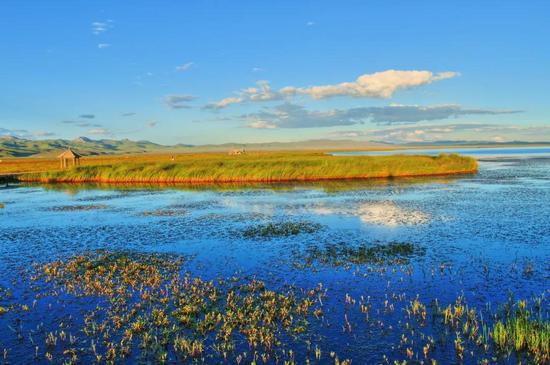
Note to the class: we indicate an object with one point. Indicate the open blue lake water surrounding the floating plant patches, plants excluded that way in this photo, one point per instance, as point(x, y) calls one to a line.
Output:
point(483, 238)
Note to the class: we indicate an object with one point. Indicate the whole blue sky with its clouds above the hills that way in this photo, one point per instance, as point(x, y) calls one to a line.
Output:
point(255, 71)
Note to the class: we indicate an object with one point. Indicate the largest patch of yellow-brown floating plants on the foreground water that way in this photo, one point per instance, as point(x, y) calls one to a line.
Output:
point(143, 308)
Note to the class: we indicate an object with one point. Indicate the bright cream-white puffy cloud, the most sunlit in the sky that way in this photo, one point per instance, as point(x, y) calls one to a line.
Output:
point(377, 85)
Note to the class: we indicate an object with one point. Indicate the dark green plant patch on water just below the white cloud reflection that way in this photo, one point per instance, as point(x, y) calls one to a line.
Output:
point(343, 254)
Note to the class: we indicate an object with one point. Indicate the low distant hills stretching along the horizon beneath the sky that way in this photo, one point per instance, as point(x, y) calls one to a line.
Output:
point(19, 147)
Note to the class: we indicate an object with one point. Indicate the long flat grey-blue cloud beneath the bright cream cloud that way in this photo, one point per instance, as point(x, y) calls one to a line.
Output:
point(295, 116)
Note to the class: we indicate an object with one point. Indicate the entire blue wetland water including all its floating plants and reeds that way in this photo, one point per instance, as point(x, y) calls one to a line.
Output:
point(412, 271)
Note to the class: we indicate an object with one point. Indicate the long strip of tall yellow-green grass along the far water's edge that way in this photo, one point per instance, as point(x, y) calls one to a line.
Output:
point(262, 167)
